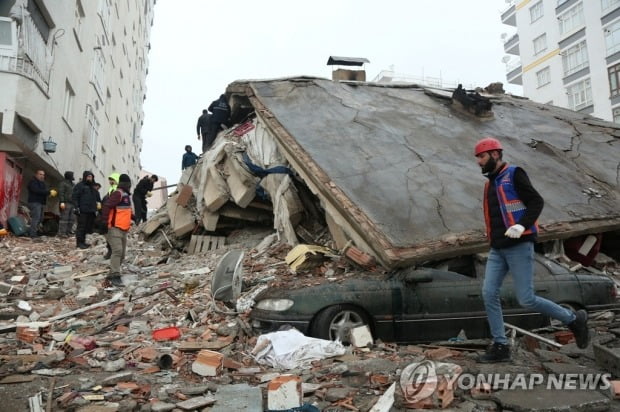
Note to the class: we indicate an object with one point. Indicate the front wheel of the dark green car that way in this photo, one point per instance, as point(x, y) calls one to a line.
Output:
point(336, 322)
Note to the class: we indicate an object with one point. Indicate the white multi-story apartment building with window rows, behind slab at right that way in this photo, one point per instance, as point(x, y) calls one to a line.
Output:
point(566, 53)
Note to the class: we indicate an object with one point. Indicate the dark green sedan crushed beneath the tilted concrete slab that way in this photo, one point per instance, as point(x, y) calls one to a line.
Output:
point(424, 304)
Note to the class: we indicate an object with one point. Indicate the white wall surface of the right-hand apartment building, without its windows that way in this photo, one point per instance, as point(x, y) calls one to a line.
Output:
point(593, 30)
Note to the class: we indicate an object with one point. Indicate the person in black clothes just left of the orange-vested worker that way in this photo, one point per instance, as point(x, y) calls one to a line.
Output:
point(85, 202)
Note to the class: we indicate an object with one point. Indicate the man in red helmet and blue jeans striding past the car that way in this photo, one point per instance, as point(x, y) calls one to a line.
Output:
point(511, 210)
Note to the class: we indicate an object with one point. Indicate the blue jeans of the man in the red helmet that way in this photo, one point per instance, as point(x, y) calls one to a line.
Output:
point(519, 260)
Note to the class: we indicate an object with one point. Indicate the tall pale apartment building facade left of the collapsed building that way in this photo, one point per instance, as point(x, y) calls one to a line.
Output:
point(72, 86)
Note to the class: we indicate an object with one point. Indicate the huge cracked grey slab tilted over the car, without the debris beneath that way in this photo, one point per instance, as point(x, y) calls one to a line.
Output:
point(393, 166)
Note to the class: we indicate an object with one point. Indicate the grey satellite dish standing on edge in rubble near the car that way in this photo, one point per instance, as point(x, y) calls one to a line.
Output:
point(228, 277)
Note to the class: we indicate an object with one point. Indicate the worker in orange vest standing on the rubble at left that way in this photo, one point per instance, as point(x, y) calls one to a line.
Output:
point(117, 213)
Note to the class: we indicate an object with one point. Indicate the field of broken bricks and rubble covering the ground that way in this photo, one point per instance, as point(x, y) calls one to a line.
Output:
point(163, 343)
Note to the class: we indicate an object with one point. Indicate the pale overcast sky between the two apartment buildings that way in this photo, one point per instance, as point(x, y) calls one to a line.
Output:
point(198, 47)
